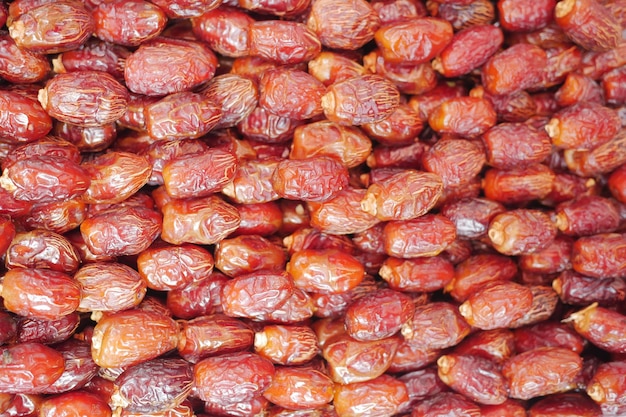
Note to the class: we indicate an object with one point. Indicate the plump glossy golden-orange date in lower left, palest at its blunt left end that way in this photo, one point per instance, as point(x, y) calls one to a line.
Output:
point(131, 337)
